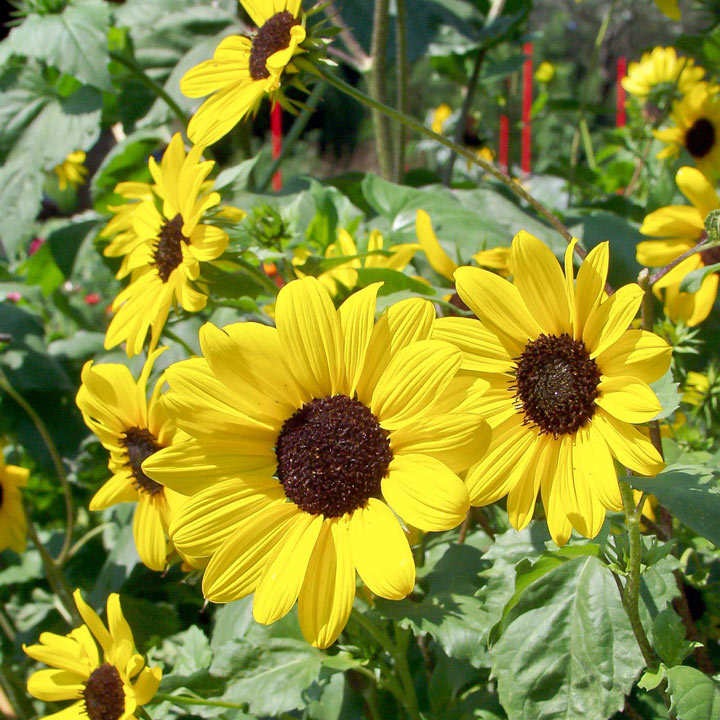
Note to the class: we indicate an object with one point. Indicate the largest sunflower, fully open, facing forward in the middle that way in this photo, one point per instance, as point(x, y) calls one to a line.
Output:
point(313, 446)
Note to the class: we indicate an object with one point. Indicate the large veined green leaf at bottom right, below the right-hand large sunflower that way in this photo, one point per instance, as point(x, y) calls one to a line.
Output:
point(568, 651)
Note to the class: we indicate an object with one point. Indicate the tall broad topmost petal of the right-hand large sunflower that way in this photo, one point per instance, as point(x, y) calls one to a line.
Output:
point(538, 277)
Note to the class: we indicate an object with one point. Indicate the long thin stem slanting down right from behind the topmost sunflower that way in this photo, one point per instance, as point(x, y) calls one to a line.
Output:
point(421, 129)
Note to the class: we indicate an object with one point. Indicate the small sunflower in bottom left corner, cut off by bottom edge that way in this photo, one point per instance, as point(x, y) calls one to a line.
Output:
point(109, 682)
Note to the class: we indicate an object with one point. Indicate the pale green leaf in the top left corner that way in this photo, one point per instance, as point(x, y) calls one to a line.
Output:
point(74, 41)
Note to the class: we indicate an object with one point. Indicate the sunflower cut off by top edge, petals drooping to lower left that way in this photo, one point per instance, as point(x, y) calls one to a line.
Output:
point(243, 70)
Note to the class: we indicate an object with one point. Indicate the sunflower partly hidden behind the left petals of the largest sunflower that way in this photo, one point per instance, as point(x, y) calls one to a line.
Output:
point(131, 427)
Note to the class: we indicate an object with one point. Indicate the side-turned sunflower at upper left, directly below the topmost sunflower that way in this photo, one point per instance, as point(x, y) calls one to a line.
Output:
point(164, 247)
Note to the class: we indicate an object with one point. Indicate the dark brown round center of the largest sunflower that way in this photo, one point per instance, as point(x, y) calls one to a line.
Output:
point(332, 455)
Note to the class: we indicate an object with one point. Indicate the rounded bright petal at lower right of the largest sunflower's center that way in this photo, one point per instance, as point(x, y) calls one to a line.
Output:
point(425, 493)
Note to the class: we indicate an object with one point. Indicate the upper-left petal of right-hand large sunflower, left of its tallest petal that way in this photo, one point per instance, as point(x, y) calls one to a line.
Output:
point(499, 305)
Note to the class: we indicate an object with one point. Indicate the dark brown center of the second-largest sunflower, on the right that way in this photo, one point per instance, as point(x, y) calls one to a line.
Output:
point(556, 383)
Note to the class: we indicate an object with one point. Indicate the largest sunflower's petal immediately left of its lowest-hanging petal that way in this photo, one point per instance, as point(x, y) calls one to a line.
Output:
point(285, 571)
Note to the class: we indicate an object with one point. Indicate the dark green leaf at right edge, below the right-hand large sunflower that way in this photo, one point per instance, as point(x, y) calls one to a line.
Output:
point(691, 493)
